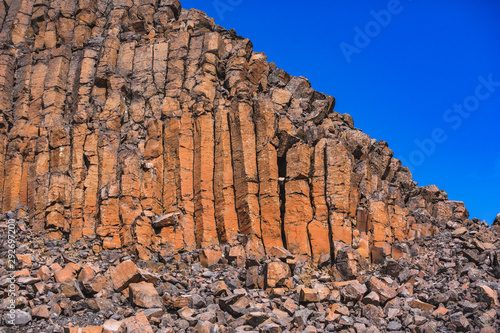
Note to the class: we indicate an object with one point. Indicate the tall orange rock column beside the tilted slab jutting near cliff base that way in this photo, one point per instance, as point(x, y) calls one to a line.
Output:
point(178, 147)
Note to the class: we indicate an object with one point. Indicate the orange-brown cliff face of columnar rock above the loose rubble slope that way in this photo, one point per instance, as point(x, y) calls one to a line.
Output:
point(149, 127)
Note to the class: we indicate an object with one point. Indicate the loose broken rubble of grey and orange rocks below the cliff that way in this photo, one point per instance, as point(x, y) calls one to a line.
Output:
point(446, 283)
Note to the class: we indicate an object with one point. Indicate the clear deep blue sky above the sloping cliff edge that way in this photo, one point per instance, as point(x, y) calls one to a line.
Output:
point(417, 79)
